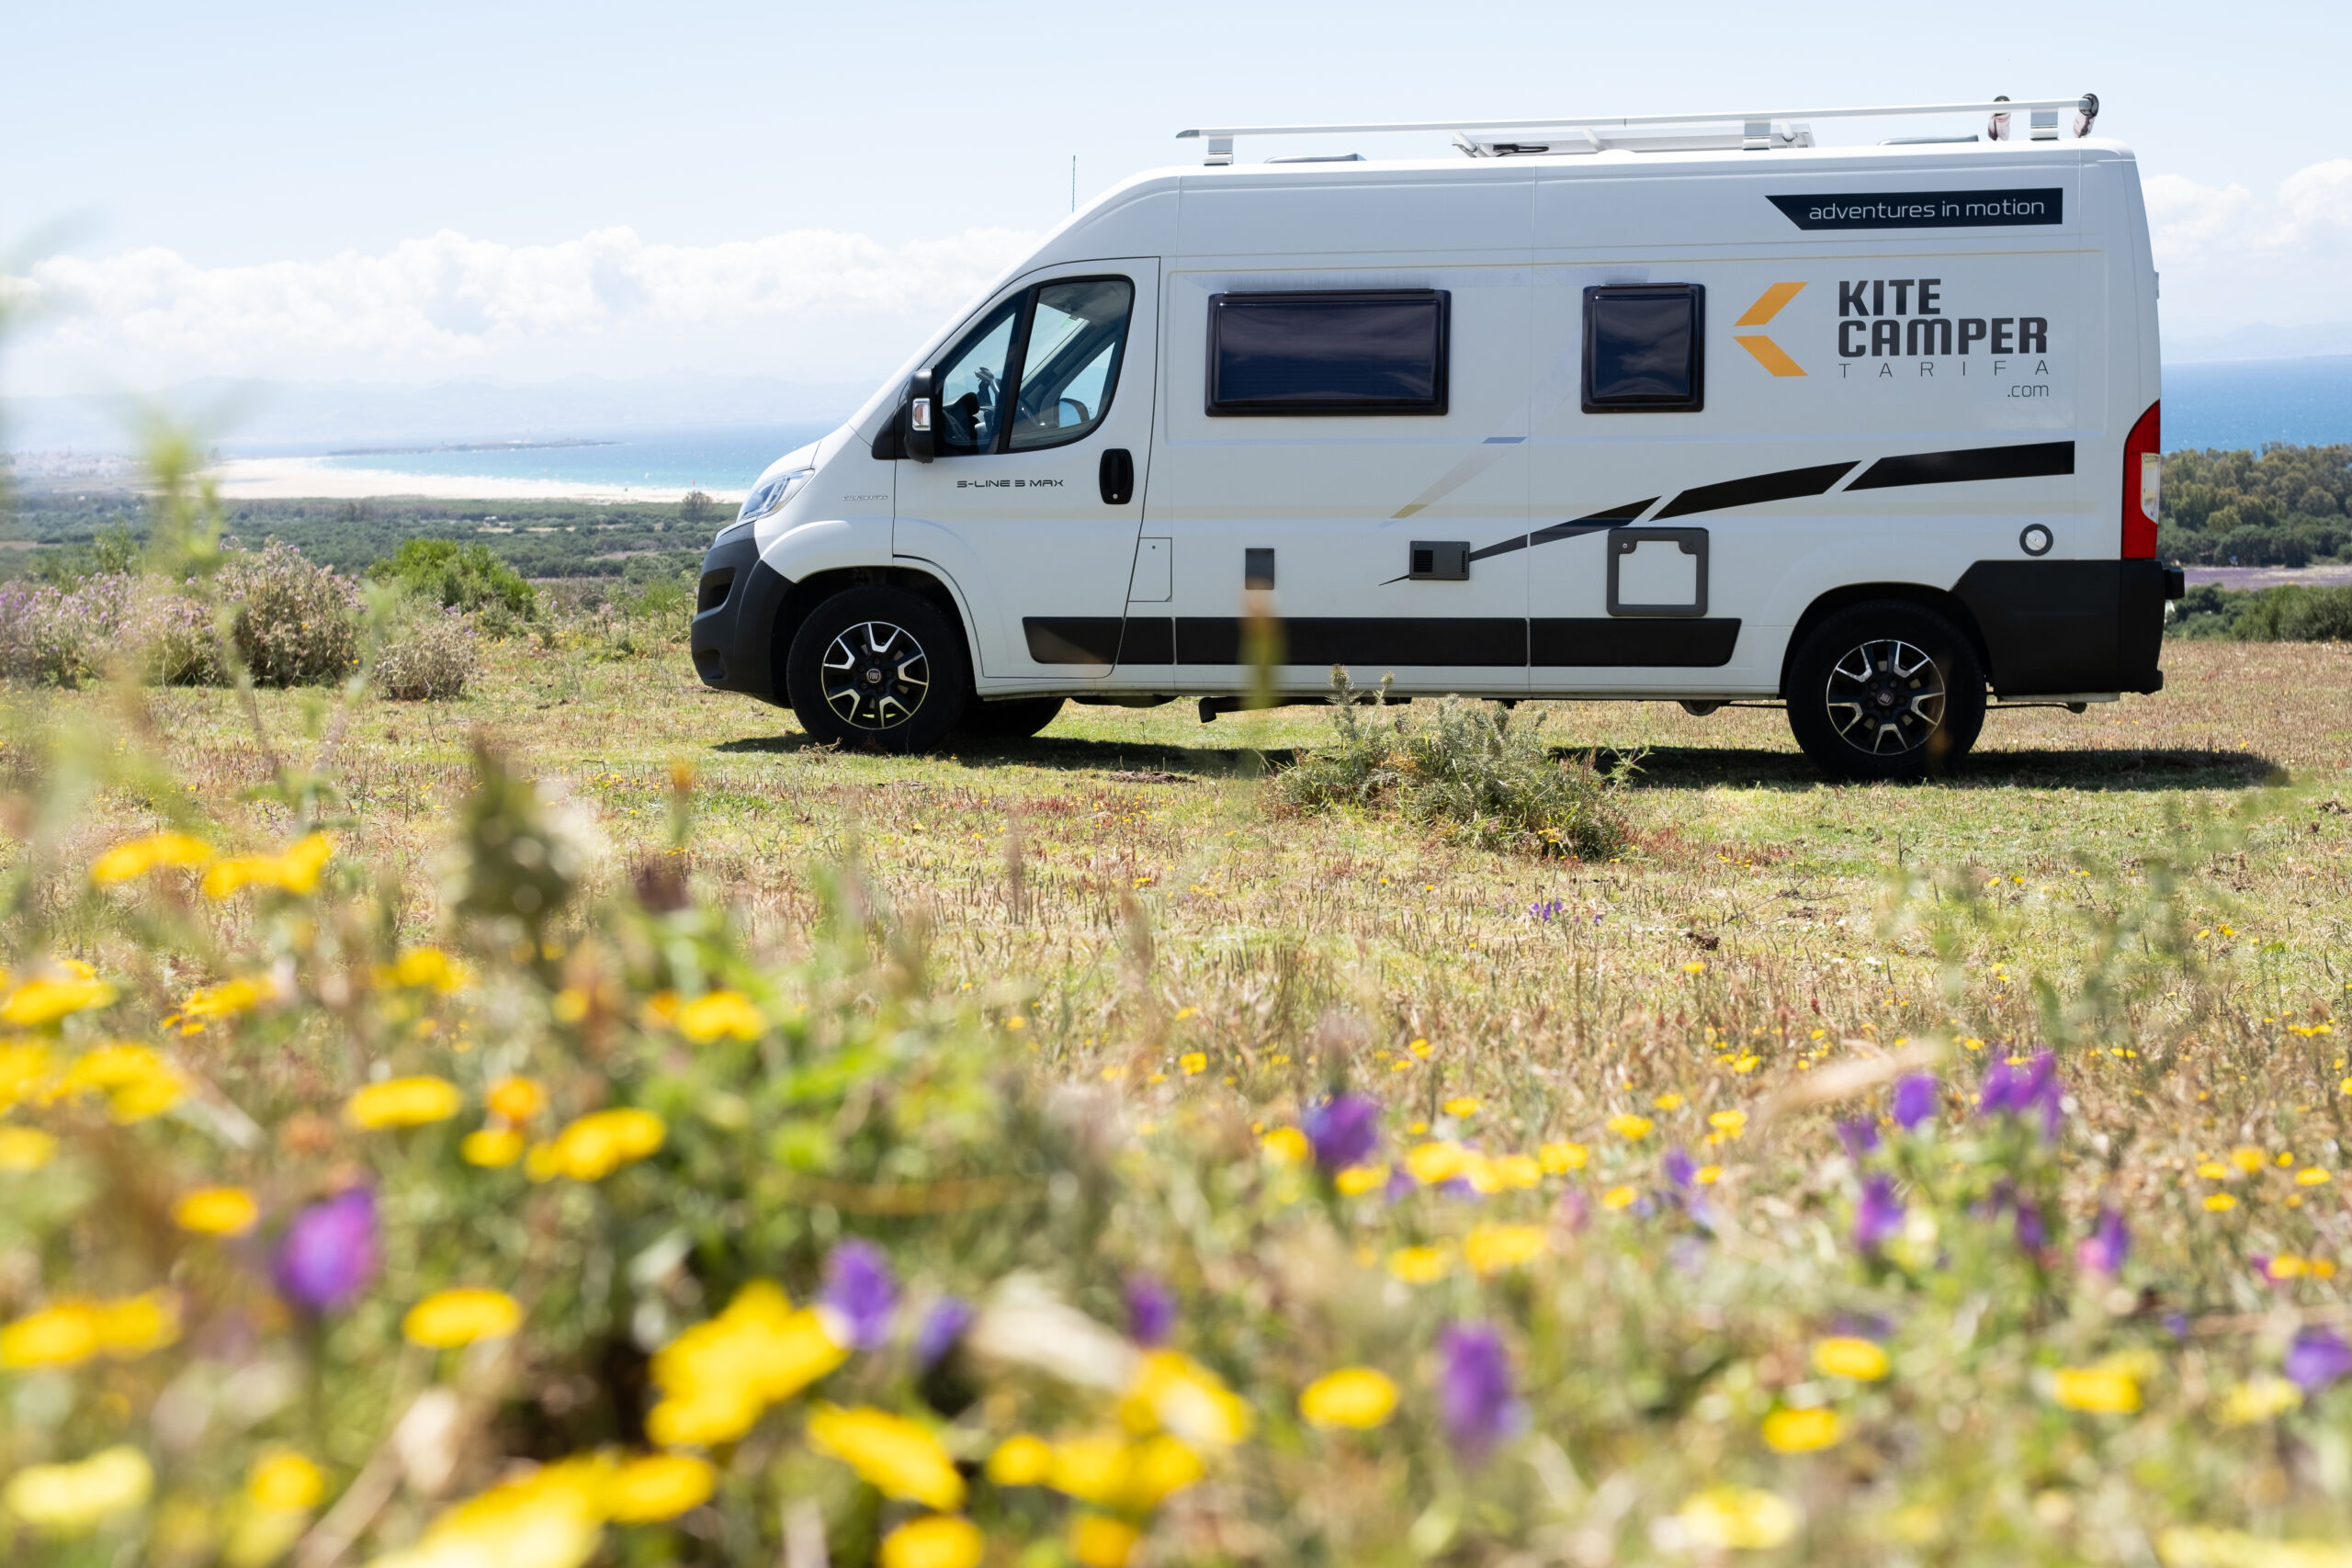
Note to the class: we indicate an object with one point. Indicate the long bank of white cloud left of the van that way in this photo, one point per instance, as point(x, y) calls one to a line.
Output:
point(457, 304)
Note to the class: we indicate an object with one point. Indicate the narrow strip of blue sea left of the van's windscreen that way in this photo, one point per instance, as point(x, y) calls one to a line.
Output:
point(721, 460)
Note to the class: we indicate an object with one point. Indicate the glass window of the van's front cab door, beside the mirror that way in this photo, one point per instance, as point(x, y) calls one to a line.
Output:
point(1060, 344)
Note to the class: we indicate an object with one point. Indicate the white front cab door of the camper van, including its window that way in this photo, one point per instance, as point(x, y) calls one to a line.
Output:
point(1036, 492)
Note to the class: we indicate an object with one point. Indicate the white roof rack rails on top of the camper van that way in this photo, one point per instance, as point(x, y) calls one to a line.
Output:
point(1760, 130)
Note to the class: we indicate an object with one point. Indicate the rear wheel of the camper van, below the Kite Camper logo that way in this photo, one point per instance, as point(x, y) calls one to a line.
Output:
point(1885, 690)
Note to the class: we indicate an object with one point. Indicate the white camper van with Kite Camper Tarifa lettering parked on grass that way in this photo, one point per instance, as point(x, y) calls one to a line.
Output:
point(1596, 410)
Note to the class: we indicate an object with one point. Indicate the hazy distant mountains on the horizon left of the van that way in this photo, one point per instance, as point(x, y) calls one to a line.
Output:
point(302, 420)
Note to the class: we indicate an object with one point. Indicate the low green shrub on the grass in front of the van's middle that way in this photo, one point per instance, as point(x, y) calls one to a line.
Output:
point(1476, 772)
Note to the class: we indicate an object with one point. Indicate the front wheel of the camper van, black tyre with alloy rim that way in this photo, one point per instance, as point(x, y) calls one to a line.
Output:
point(878, 669)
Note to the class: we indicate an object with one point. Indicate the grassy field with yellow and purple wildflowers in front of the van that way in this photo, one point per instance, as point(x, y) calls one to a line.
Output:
point(1156, 974)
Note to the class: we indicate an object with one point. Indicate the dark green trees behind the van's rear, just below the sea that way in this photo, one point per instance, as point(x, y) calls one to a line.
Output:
point(2283, 507)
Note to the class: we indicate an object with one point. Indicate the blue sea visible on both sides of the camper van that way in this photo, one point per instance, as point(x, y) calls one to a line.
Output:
point(2233, 403)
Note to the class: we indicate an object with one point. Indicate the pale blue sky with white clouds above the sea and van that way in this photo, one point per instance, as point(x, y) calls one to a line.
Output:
point(533, 194)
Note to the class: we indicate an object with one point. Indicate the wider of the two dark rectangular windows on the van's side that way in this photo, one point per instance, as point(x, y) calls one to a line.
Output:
point(1330, 354)
